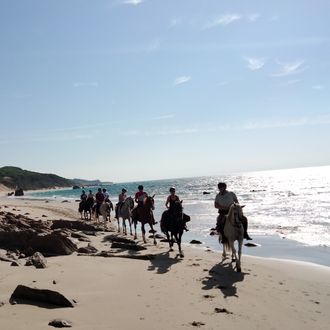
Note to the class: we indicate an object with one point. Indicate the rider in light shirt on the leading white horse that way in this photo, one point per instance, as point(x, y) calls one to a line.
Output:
point(223, 201)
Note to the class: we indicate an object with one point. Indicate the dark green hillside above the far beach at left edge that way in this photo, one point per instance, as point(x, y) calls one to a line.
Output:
point(13, 177)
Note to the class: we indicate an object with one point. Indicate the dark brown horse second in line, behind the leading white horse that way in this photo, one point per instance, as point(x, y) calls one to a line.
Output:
point(173, 223)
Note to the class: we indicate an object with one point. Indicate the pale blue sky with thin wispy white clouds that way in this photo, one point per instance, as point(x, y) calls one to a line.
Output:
point(135, 90)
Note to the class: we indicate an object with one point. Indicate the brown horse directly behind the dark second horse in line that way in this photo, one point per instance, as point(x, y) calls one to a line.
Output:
point(144, 215)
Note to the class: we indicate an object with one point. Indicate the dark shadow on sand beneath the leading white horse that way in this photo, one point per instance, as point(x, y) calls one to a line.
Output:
point(223, 277)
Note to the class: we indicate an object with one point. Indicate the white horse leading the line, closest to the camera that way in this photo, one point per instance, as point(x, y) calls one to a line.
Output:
point(233, 231)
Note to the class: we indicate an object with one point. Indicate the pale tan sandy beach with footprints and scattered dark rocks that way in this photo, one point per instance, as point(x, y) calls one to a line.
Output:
point(197, 291)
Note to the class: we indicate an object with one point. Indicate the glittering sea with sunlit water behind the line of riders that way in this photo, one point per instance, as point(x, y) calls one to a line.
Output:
point(288, 210)
